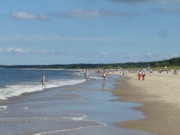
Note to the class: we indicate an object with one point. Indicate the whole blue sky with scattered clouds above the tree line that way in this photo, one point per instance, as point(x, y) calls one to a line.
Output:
point(88, 31)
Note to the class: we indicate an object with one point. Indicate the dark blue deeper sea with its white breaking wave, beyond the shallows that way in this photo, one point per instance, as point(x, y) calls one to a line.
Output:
point(14, 82)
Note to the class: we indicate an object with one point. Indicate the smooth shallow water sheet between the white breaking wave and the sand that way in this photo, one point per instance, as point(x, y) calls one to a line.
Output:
point(68, 110)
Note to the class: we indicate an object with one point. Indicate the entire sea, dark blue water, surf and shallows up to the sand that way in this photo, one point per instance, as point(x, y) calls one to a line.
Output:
point(69, 105)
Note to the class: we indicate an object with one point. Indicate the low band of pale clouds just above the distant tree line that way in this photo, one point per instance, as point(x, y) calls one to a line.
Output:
point(86, 57)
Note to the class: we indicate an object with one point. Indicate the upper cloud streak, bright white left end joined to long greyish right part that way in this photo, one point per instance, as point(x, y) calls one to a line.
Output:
point(78, 13)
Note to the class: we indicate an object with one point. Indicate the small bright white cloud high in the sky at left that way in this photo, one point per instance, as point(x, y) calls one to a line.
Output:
point(27, 16)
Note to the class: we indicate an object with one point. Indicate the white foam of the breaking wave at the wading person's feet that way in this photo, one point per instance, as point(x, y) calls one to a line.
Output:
point(19, 89)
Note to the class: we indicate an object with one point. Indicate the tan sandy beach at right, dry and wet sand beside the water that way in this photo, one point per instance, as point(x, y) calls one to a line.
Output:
point(160, 95)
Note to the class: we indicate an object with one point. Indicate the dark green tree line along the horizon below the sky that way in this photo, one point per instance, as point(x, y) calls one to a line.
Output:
point(170, 62)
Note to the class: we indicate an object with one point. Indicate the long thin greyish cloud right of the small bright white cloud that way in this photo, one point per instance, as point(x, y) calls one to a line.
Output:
point(81, 13)
